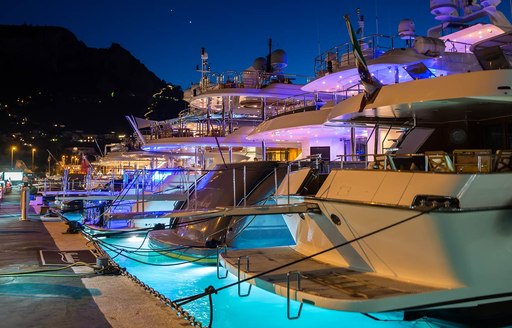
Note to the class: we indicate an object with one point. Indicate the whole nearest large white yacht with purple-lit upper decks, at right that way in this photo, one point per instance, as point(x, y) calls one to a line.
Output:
point(415, 214)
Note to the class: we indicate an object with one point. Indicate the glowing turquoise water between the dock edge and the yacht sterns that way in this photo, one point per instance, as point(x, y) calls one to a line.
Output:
point(259, 309)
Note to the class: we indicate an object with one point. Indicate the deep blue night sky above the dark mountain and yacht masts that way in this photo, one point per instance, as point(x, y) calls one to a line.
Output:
point(167, 36)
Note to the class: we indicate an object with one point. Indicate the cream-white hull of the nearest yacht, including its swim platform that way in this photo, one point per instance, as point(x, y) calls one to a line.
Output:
point(445, 258)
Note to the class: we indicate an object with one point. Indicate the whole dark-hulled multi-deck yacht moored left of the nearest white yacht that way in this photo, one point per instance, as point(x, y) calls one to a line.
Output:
point(211, 137)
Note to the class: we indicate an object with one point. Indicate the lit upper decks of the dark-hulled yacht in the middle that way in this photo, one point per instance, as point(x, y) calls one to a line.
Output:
point(224, 108)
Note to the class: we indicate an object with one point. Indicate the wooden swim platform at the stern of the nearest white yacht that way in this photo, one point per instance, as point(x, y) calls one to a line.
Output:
point(321, 284)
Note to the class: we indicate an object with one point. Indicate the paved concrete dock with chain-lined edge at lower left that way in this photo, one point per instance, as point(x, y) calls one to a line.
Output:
point(56, 300)
